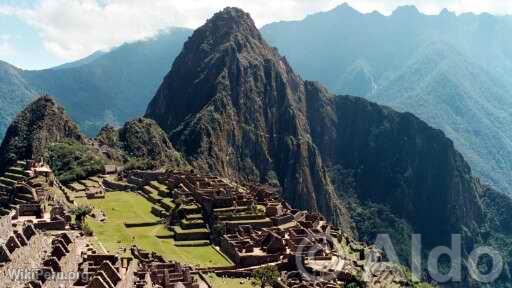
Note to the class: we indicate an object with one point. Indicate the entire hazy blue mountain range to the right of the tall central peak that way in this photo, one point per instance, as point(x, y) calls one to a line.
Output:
point(452, 71)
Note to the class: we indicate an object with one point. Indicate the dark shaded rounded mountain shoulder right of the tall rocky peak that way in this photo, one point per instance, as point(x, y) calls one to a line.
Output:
point(397, 160)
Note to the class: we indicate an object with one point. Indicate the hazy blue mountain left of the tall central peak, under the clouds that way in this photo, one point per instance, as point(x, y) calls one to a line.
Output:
point(102, 82)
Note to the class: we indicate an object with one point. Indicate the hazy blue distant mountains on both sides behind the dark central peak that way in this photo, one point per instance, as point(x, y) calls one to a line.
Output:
point(454, 72)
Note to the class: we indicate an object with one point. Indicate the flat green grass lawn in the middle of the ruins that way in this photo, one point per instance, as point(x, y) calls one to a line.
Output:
point(121, 207)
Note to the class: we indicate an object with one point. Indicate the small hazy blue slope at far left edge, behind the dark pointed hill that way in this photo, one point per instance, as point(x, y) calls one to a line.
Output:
point(15, 93)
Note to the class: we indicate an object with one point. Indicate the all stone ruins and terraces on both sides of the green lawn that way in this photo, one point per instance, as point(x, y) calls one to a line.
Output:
point(253, 227)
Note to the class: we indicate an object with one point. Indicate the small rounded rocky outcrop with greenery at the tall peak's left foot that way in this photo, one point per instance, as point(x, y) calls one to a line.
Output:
point(142, 138)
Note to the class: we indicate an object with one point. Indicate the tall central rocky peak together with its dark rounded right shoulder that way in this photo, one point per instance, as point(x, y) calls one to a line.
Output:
point(235, 107)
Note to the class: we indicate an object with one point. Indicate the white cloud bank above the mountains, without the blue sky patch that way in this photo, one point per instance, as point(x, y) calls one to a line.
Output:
point(72, 29)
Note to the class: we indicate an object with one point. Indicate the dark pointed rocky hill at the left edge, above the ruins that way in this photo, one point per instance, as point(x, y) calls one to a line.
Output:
point(40, 124)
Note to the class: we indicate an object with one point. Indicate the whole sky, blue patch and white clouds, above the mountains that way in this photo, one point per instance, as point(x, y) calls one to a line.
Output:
point(38, 34)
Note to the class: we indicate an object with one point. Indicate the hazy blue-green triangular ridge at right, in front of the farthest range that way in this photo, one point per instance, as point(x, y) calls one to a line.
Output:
point(456, 95)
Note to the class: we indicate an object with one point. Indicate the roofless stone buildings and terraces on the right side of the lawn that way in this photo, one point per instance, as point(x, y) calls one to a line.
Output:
point(252, 226)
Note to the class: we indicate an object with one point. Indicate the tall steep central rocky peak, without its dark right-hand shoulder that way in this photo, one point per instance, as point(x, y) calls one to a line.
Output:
point(234, 106)
